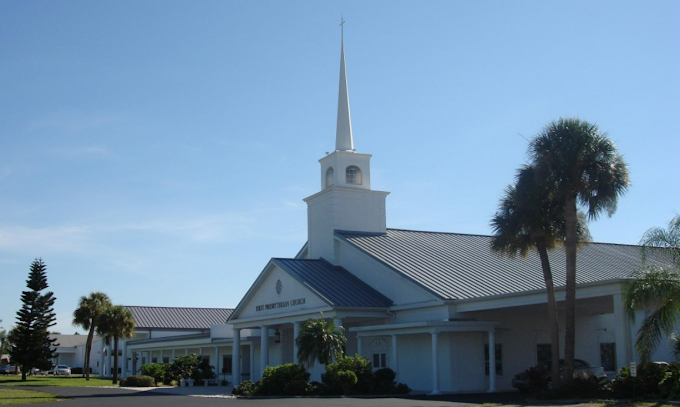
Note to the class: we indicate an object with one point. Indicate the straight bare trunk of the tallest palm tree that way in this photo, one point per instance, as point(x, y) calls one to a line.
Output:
point(570, 251)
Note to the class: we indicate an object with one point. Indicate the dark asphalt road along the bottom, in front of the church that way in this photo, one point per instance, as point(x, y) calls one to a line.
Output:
point(109, 397)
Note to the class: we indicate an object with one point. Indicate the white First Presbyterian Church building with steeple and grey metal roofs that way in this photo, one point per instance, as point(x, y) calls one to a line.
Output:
point(440, 309)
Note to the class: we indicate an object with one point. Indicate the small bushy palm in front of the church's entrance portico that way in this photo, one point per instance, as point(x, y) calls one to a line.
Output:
point(320, 340)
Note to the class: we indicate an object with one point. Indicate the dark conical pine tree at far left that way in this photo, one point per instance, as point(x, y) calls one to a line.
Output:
point(31, 343)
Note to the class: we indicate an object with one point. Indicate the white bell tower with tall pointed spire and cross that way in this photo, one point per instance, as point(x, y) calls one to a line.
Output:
point(346, 201)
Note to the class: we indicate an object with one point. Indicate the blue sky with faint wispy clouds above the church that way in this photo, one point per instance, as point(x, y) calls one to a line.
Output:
point(159, 151)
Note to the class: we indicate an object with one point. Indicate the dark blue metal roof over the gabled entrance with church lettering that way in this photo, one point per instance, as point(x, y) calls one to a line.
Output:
point(335, 285)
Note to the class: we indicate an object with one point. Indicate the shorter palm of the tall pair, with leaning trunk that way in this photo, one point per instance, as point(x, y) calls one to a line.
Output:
point(527, 218)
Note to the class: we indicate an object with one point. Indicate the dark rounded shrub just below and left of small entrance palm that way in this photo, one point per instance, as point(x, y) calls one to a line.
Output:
point(278, 381)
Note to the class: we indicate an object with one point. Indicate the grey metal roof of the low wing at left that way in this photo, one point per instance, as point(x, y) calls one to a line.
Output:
point(178, 317)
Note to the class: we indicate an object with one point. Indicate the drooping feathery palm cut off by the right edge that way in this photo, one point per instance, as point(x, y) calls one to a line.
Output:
point(656, 286)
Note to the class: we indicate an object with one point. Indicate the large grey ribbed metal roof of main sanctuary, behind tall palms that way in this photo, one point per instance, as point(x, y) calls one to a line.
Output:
point(460, 266)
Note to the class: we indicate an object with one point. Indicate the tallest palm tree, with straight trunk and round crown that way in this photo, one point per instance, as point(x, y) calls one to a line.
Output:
point(581, 166)
